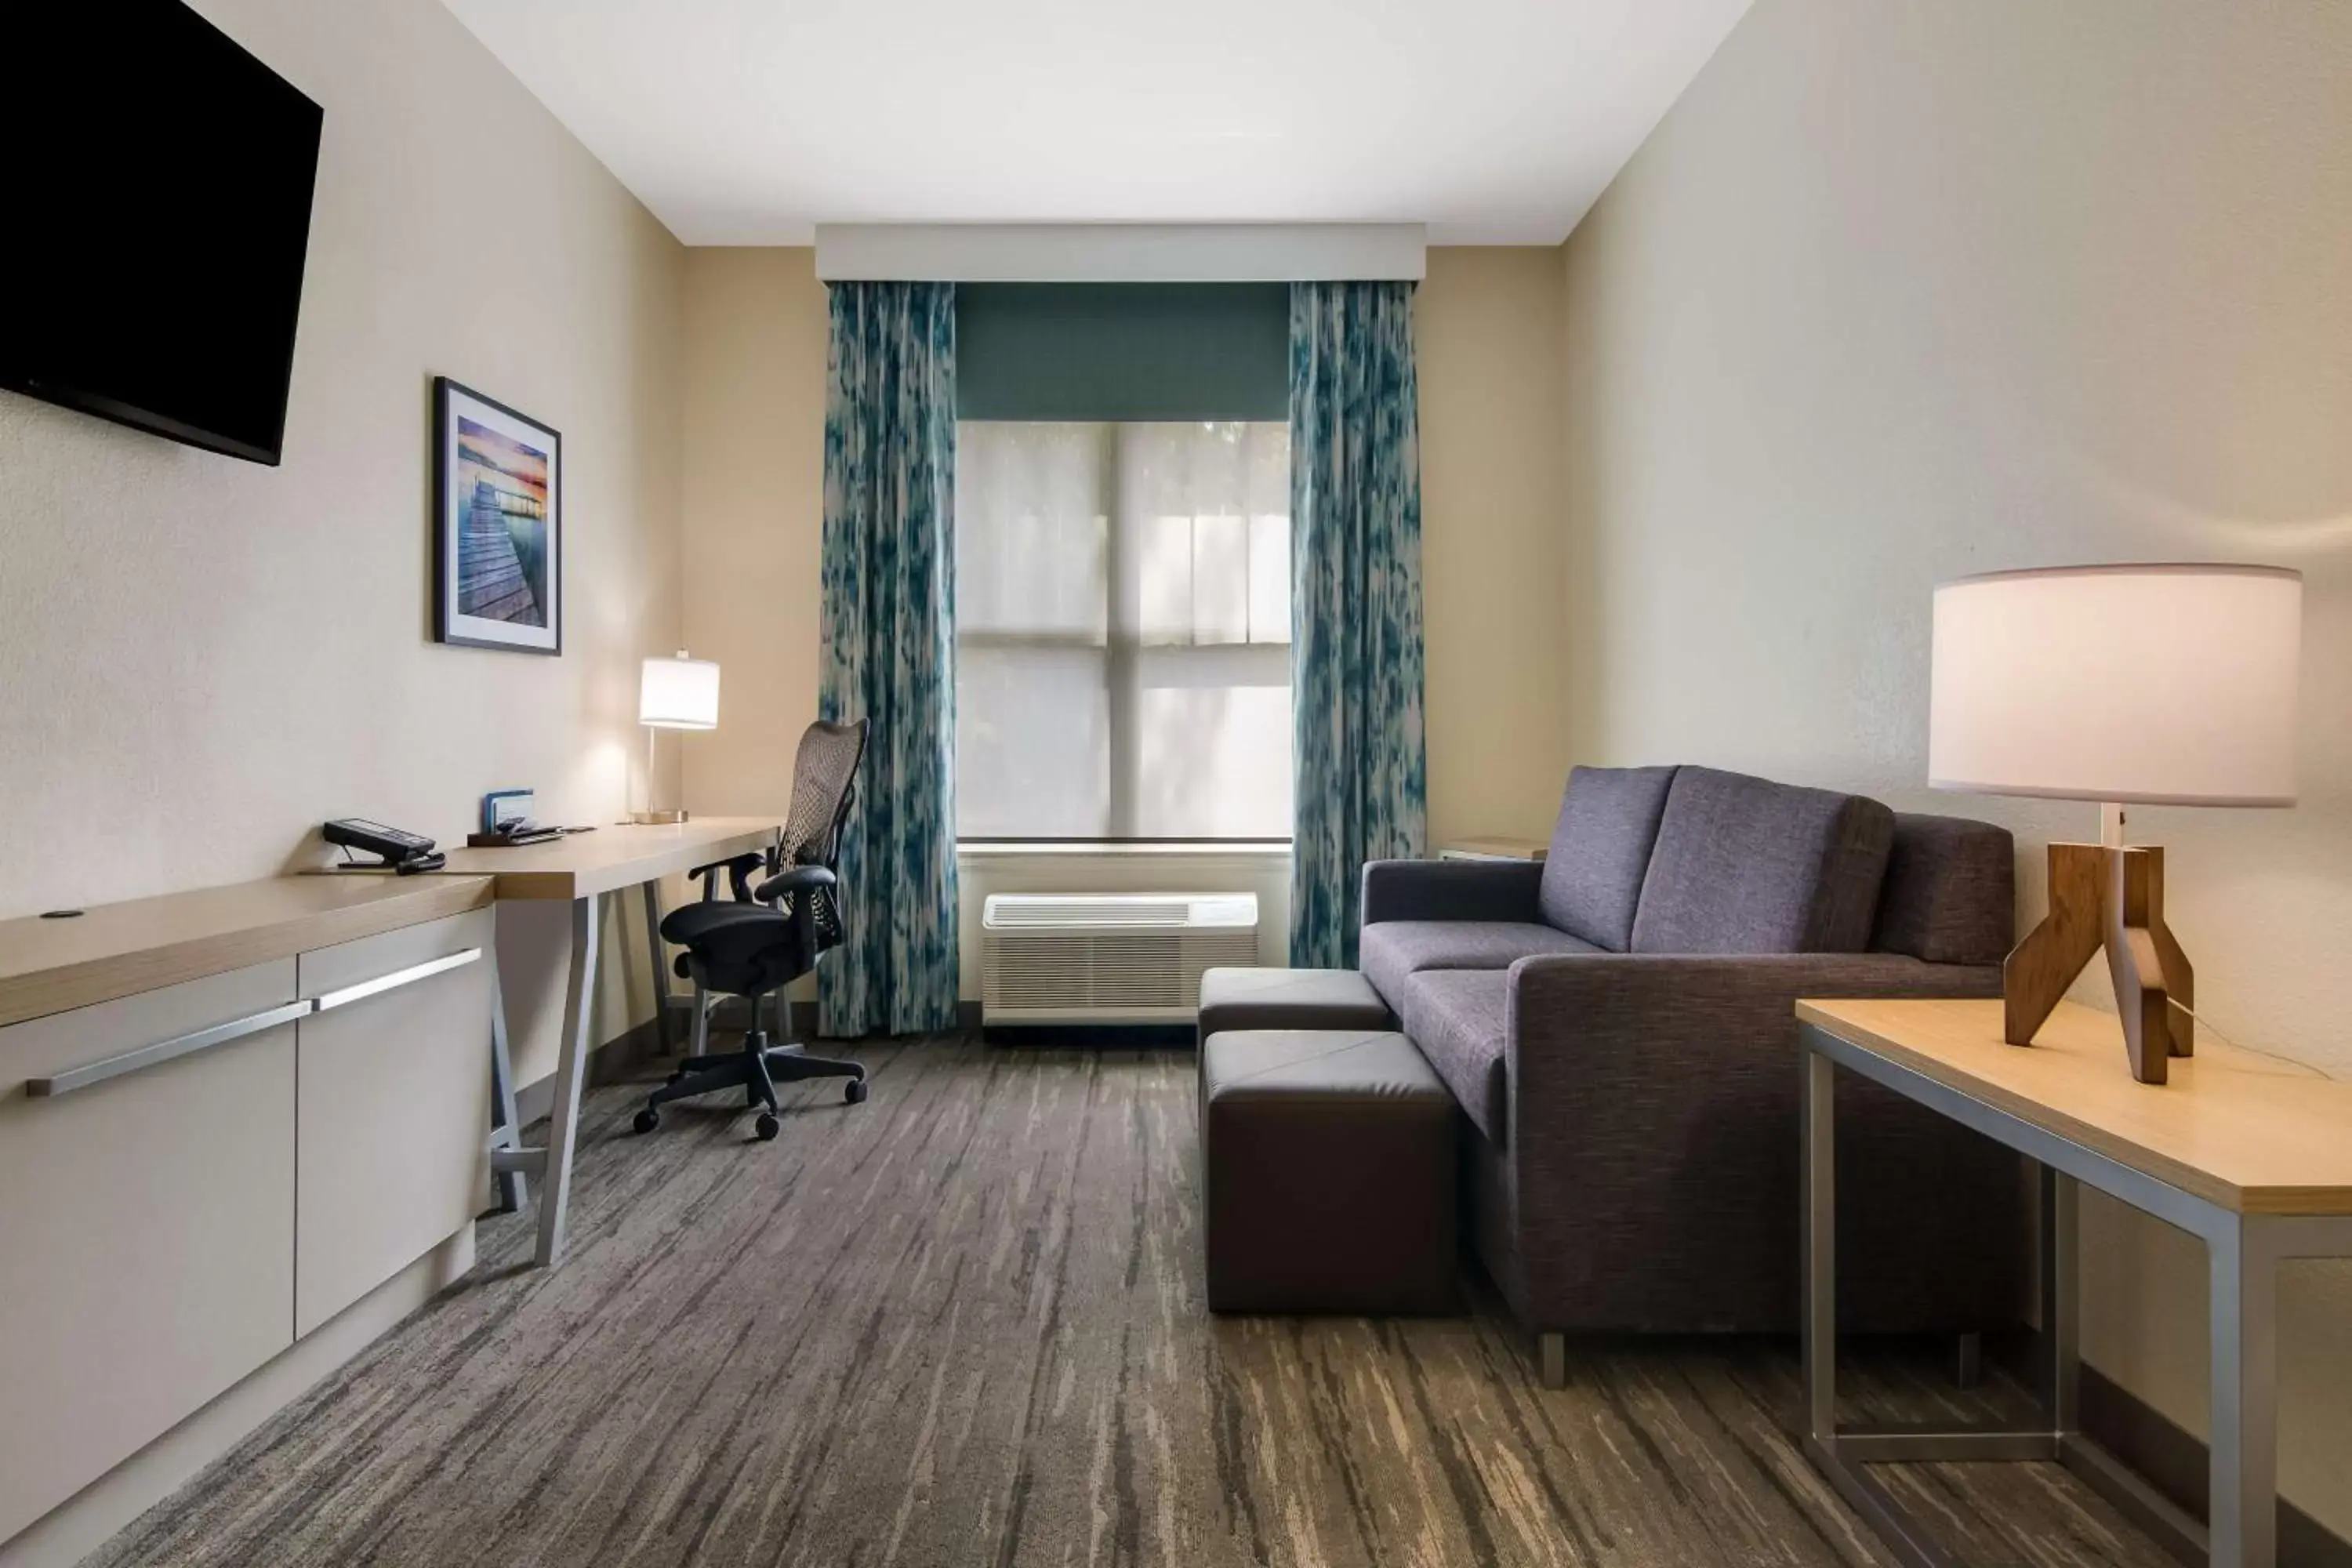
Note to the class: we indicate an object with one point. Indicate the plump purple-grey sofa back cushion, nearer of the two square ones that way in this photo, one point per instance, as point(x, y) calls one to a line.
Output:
point(1756, 866)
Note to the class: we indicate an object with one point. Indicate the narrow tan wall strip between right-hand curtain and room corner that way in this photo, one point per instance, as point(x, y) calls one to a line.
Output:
point(1492, 551)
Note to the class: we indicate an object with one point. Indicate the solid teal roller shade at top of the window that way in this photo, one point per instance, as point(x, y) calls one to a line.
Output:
point(1130, 351)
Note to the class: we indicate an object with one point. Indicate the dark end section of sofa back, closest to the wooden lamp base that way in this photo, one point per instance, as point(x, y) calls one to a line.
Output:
point(1951, 892)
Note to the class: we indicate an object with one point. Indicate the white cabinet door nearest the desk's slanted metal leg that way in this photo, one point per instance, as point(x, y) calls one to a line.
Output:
point(394, 1125)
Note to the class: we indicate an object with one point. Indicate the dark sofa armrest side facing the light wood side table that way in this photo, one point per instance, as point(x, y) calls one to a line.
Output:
point(1655, 1113)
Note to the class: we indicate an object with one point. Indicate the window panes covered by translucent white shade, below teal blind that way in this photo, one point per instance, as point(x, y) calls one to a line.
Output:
point(1123, 622)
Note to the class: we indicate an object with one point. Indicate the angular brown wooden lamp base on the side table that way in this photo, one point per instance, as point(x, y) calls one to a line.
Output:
point(2106, 897)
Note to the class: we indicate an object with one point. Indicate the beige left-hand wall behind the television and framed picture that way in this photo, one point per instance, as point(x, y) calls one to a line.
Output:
point(203, 659)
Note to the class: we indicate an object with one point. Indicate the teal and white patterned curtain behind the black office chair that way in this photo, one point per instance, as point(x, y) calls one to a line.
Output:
point(890, 650)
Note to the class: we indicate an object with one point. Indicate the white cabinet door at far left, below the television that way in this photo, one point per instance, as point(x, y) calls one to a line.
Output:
point(147, 1221)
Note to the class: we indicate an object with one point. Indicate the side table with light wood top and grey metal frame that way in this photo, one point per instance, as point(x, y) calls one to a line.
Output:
point(2250, 1153)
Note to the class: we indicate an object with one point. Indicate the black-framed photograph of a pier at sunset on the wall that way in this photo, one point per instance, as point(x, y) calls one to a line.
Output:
point(497, 525)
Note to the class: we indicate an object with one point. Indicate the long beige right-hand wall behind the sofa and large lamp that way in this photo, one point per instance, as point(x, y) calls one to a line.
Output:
point(1913, 290)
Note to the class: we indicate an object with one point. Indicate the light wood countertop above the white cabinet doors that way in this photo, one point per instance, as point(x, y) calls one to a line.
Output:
point(123, 949)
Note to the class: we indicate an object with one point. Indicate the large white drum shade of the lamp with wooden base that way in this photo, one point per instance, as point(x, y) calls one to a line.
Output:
point(2172, 685)
